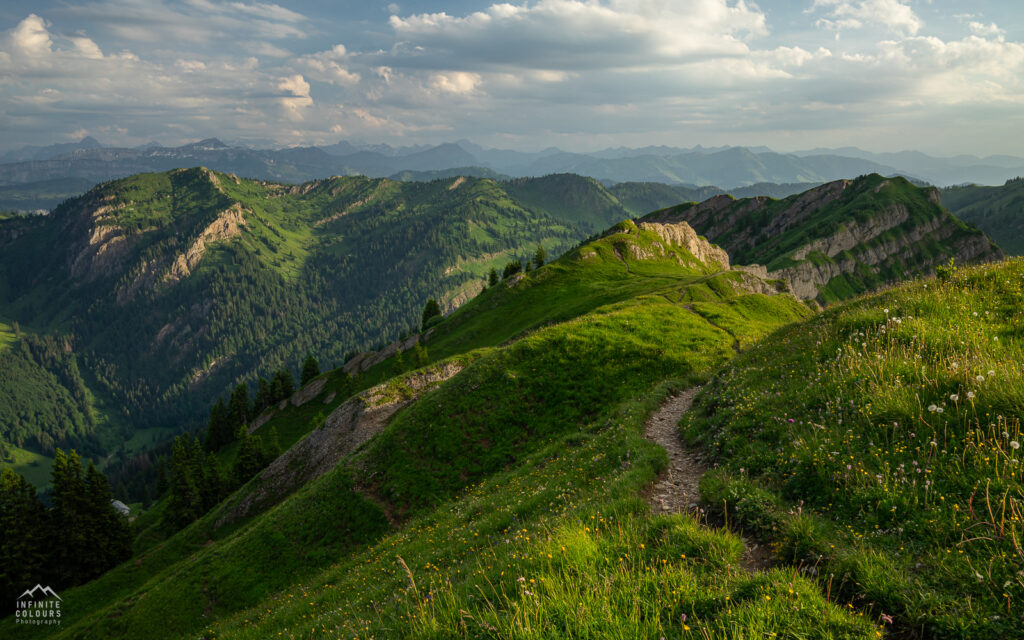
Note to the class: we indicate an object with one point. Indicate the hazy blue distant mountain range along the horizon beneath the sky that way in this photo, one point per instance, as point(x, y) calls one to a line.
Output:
point(40, 178)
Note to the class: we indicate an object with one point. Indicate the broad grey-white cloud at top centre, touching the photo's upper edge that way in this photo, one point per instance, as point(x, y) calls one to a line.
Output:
point(578, 34)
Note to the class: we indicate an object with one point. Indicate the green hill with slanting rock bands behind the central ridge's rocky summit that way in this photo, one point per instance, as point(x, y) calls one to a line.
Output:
point(840, 239)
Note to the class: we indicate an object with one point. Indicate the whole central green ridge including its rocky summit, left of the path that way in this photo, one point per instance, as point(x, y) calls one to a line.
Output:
point(495, 493)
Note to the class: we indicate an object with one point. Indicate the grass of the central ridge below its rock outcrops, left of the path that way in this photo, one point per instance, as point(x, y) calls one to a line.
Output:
point(551, 497)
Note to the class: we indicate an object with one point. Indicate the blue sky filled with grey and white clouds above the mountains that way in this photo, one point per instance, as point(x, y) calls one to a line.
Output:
point(941, 76)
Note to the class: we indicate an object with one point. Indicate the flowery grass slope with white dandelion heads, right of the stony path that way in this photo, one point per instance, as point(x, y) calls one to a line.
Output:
point(880, 444)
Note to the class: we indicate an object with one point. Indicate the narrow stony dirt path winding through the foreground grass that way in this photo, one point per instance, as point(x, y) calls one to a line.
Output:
point(676, 490)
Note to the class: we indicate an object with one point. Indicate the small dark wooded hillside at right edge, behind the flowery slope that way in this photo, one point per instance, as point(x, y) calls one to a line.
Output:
point(997, 210)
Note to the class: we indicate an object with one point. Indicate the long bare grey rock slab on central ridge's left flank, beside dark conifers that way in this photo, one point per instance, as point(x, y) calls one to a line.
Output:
point(355, 422)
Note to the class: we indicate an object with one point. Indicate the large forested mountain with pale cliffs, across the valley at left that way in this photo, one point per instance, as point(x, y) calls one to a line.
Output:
point(168, 289)
